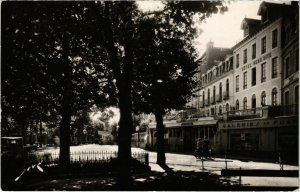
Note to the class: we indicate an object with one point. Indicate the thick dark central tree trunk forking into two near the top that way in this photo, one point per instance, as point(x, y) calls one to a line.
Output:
point(123, 82)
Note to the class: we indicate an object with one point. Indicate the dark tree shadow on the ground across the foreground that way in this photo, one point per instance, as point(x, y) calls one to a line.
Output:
point(149, 181)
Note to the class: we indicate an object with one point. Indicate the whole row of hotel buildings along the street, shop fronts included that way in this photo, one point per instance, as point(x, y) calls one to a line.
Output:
point(243, 100)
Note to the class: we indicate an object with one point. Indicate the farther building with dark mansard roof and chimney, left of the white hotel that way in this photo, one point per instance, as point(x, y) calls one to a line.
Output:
point(212, 68)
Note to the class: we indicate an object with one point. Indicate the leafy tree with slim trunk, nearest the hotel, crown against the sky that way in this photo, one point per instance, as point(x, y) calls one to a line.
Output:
point(167, 60)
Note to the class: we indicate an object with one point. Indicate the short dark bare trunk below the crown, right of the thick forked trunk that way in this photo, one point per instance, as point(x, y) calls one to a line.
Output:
point(160, 130)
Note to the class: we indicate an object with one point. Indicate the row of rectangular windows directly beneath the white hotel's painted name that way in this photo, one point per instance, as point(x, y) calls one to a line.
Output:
point(274, 72)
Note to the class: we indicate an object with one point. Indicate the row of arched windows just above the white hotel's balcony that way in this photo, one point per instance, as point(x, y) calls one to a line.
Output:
point(274, 96)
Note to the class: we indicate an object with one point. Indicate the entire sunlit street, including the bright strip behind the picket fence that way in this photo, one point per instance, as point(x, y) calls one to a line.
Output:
point(181, 162)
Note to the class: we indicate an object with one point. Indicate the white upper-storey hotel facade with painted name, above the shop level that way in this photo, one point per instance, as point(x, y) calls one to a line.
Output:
point(257, 59)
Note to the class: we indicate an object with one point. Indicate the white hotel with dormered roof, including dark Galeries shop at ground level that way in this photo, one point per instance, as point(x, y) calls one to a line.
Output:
point(261, 123)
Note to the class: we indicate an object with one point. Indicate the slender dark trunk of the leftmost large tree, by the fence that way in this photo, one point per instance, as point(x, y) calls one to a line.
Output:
point(64, 128)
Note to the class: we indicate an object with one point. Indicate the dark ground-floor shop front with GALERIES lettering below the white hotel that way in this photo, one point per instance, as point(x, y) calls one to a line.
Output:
point(260, 136)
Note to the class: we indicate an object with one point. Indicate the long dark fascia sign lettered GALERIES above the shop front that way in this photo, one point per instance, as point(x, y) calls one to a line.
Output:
point(259, 123)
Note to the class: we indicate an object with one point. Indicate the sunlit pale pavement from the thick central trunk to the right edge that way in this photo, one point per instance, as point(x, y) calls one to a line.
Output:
point(180, 162)
